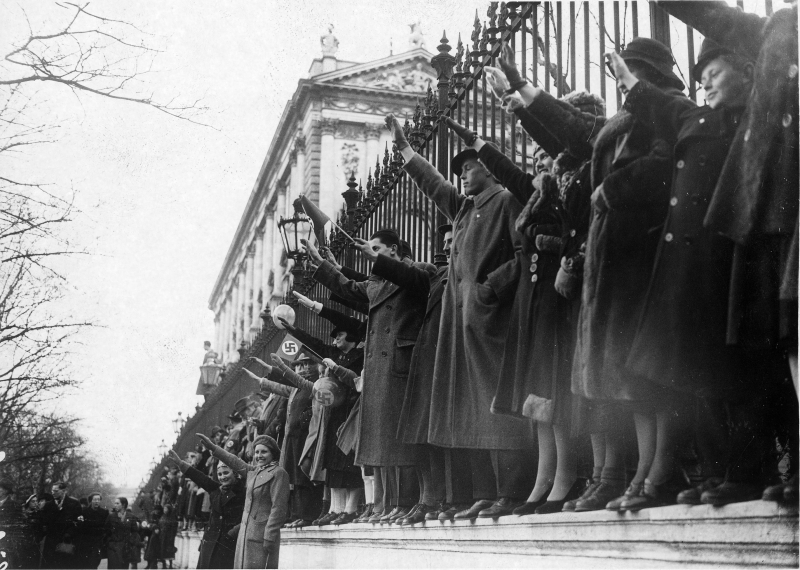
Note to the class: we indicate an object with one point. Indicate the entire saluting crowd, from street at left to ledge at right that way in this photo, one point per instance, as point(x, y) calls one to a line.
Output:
point(616, 329)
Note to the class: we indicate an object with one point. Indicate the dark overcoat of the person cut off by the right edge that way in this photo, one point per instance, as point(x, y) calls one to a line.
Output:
point(755, 202)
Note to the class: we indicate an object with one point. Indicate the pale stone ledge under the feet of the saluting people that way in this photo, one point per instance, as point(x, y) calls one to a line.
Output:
point(753, 534)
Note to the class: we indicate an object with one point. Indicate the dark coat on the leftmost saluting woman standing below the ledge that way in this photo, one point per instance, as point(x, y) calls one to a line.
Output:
point(217, 548)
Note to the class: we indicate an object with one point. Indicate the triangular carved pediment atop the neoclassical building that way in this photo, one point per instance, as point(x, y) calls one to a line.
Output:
point(409, 72)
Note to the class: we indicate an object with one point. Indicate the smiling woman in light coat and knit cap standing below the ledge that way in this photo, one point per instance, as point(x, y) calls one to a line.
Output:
point(266, 504)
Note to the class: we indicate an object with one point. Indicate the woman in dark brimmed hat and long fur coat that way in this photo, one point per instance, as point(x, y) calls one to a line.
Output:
point(631, 172)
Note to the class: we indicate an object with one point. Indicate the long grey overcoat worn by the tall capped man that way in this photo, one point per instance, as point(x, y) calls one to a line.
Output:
point(474, 323)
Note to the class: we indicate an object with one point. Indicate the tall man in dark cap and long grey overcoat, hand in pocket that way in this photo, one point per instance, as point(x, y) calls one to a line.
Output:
point(474, 329)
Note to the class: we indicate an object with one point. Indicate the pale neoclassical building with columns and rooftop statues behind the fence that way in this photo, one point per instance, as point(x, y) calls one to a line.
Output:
point(332, 126)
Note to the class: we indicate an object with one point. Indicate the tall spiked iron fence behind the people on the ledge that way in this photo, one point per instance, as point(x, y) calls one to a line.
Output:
point(560, 46)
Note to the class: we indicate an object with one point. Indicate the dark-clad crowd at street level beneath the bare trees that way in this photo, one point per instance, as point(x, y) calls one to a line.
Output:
point(55, 530)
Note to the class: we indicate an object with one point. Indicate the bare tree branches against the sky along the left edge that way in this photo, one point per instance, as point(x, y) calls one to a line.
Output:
point(88, 55)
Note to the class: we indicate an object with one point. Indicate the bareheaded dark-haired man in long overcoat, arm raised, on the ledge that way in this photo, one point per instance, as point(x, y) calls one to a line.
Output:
point(394, 319)
